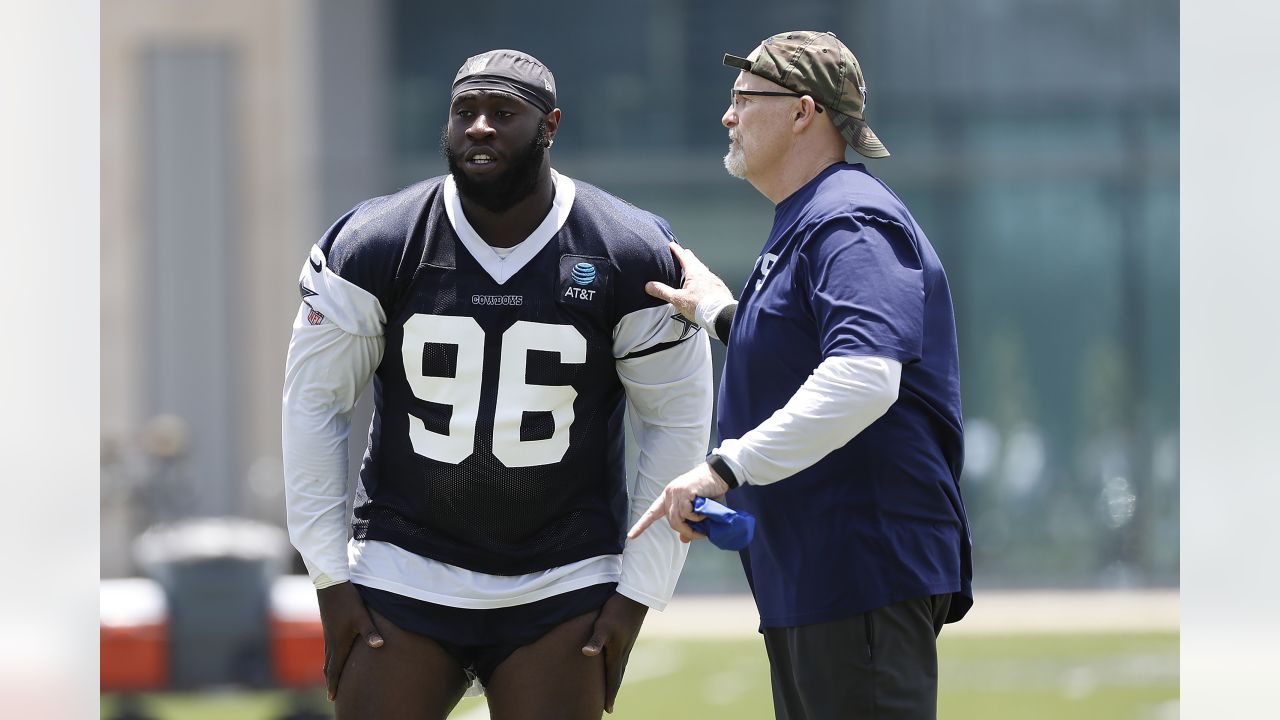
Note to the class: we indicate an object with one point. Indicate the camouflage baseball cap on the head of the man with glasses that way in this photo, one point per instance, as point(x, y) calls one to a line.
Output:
point(819, 65)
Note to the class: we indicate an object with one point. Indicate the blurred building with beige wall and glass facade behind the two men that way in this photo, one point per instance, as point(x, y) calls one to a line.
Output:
point(1035, 142)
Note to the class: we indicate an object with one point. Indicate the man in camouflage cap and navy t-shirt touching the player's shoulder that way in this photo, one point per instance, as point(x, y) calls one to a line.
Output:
point(840, 416)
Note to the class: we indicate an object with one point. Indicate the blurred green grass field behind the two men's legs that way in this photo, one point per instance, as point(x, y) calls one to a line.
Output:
point(1099, 677)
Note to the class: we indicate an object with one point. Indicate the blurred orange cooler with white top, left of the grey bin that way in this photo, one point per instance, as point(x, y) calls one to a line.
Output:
point(134, 619)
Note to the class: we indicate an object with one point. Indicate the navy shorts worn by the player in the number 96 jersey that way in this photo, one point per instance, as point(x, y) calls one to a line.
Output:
point(481, 640)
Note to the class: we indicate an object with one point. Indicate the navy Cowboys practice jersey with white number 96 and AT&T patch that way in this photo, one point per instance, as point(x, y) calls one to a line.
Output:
point(497, 435)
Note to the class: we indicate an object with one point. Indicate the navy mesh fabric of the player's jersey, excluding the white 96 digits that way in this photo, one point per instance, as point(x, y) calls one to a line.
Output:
point(479, 513)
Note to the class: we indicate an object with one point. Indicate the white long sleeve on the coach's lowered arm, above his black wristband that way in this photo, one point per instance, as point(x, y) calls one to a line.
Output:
point(840, 400)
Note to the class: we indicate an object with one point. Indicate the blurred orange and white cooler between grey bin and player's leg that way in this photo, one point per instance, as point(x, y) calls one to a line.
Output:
point(298, 637)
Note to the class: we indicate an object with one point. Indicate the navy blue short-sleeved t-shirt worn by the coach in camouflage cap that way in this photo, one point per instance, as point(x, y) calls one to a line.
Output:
point(847, 272)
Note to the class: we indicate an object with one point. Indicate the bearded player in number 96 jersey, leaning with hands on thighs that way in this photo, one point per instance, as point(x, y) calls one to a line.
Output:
point(502, 316)
